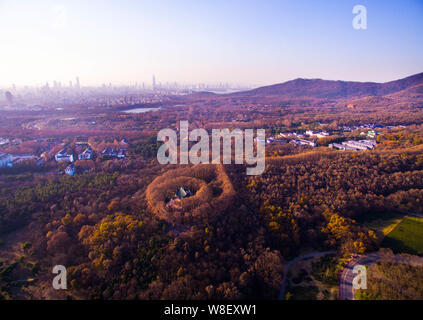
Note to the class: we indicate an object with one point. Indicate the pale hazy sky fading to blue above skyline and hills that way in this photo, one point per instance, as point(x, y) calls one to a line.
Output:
point(252, 42)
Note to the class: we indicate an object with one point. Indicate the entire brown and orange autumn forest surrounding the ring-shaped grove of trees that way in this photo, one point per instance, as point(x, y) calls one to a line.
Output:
point(112, 227)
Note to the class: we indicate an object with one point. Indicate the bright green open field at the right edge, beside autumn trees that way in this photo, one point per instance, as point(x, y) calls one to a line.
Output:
point(406, 237)
